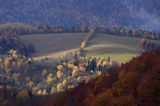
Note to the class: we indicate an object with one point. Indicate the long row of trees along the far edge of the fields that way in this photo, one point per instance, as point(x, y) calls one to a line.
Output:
point(22, 29)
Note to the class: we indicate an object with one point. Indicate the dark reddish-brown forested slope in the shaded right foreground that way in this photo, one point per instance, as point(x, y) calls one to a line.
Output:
point(134, 84)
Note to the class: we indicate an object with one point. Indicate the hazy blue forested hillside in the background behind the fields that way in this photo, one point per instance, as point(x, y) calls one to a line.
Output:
point(142, 14)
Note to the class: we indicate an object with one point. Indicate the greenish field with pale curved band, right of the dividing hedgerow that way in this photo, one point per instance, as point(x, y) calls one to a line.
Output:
point(119, 48)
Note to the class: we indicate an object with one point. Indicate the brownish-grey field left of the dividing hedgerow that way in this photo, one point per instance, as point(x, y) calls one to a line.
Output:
point(50, 44)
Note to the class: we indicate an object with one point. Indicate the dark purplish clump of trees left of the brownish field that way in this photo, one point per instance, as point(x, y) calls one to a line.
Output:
point(10, 40)
